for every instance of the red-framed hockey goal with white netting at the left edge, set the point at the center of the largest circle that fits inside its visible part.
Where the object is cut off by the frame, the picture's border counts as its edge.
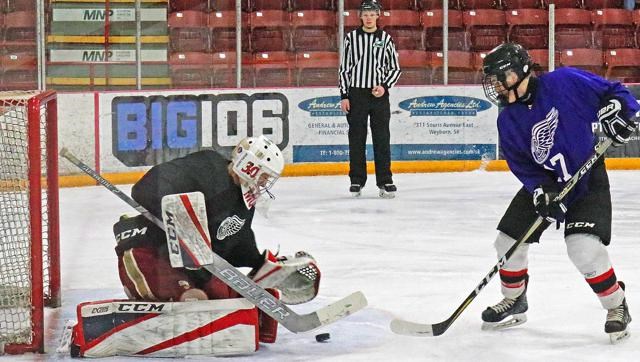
(29, 235)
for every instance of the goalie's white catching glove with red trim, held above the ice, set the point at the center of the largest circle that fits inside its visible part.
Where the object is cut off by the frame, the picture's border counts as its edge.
(296, 277)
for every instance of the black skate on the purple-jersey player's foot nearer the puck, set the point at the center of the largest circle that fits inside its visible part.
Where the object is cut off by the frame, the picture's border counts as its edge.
(494, 316)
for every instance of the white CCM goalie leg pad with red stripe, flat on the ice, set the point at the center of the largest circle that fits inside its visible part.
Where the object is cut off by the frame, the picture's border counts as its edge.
(170, 329)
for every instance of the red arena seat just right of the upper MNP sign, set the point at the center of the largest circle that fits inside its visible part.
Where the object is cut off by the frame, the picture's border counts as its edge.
(188, 31)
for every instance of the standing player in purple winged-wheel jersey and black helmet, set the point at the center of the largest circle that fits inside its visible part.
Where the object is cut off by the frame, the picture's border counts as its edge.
(546, 134)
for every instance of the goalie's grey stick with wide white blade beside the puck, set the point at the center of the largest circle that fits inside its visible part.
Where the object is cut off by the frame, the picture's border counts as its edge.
(239, 282)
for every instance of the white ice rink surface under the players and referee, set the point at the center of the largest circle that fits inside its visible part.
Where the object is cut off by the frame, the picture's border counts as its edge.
(416, 257)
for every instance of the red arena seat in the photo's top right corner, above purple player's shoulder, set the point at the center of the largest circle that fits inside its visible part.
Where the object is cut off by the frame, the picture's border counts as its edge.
(613, 28)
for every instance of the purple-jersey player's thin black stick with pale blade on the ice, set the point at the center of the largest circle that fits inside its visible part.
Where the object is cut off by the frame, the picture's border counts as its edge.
(408, 328)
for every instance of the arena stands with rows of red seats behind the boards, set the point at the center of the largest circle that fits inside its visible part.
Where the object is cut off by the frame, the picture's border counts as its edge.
(289, 43)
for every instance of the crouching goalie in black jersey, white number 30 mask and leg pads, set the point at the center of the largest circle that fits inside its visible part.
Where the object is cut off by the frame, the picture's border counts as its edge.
(230, 191)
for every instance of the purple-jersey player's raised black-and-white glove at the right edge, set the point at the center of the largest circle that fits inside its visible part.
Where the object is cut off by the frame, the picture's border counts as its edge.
(614, 121)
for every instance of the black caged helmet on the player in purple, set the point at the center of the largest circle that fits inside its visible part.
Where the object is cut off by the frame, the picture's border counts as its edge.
(504, 57)
